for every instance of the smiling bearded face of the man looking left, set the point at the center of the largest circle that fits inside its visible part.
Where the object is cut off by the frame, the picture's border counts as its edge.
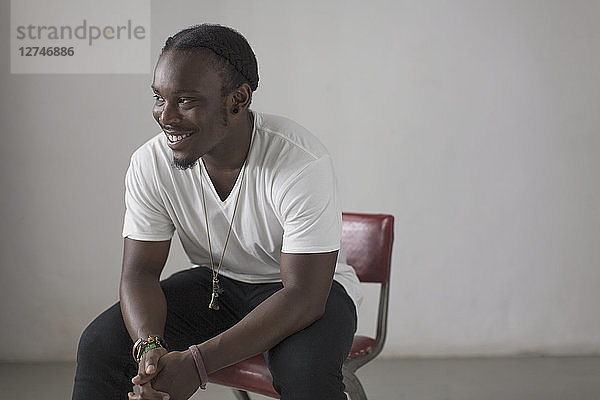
(189, 105)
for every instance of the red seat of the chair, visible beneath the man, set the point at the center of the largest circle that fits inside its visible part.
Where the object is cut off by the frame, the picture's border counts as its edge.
(253, 375)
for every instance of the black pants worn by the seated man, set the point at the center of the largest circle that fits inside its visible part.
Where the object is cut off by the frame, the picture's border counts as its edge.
(306, 365)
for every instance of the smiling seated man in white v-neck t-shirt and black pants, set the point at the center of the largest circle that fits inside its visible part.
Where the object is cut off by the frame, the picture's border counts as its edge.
(253, 199)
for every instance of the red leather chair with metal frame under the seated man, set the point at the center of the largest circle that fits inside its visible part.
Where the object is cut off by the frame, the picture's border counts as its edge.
(367, 239)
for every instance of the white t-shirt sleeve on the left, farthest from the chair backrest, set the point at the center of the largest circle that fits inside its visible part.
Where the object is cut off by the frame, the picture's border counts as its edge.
(145, 215)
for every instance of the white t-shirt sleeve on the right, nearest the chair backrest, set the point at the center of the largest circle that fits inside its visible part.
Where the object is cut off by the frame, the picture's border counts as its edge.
(310, 210)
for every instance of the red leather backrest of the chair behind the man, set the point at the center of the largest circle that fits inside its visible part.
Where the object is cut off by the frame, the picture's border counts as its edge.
(367, 240)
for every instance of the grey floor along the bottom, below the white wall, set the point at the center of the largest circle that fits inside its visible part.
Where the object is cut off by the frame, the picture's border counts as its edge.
(547, 378)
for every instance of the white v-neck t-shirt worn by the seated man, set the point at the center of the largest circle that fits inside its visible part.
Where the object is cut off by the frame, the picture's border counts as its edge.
(289, 203)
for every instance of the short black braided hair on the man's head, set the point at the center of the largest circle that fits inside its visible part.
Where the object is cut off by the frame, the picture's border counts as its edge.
(233, 53)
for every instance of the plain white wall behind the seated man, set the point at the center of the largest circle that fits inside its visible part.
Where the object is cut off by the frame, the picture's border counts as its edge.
(476, 123)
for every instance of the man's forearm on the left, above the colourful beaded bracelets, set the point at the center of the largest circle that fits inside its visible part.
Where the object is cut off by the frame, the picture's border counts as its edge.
(143, 305)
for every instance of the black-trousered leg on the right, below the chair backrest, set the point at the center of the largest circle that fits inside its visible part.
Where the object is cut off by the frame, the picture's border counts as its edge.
(308, 364)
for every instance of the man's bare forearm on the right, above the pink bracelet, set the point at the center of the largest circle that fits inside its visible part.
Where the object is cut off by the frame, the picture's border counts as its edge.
(282, 314)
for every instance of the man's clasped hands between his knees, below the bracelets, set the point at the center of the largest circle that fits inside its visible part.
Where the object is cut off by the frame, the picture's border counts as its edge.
(166, 376)
